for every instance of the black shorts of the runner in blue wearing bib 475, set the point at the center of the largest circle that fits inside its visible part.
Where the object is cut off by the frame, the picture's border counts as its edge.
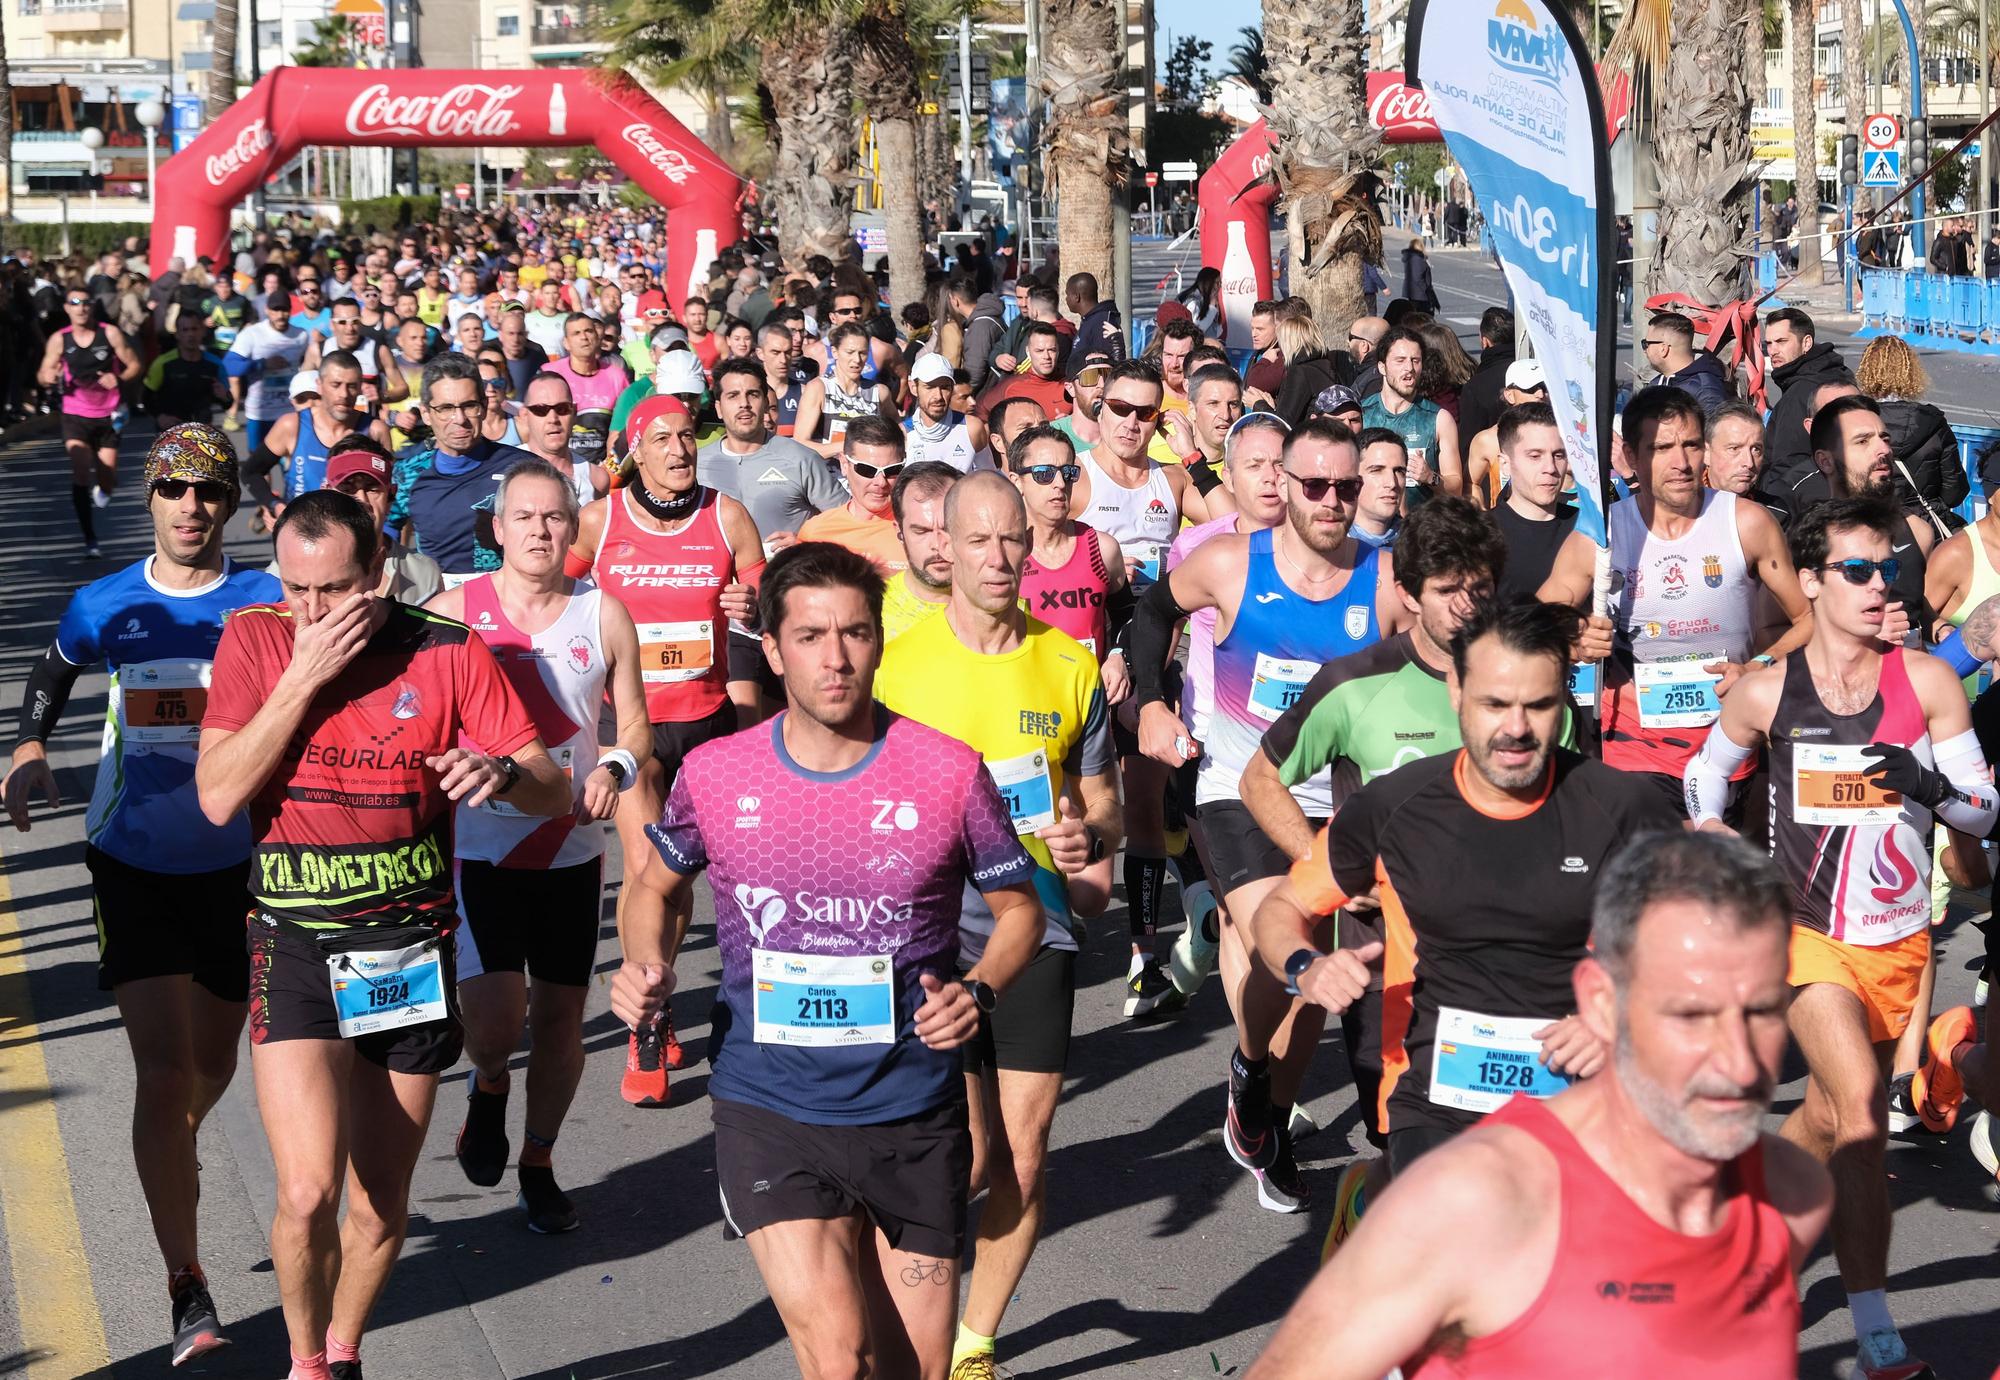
(163, 925)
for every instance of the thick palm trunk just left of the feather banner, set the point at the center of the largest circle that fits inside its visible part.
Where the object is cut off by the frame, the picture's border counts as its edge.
(1325, 147)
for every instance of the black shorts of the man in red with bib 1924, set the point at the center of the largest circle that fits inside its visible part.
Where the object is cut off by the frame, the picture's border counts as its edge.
(293, 997)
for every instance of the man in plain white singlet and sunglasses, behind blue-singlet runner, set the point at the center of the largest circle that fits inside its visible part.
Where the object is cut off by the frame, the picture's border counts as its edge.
(1137, 503)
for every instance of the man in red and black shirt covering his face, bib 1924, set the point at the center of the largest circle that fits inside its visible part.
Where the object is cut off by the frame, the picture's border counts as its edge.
(335, 719)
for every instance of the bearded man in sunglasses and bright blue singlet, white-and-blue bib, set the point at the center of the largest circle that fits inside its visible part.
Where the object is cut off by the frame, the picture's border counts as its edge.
(1287, 601)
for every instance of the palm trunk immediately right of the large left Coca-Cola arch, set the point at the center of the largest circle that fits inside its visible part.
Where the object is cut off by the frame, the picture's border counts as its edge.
(811, 77)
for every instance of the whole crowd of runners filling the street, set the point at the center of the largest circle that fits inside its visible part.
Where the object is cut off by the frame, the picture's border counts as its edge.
(933, 639)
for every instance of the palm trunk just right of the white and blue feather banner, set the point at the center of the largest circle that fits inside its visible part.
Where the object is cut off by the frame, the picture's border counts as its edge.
(1703, 153)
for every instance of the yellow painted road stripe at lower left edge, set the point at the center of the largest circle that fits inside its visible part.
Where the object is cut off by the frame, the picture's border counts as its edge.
(61, 1327)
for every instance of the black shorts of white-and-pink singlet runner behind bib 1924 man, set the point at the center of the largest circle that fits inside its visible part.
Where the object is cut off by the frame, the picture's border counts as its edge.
(537, 921)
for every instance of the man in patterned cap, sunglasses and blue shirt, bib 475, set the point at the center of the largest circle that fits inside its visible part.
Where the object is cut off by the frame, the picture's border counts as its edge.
(171, 891)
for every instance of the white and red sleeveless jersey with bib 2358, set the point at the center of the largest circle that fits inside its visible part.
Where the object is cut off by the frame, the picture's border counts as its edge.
(1675, 609)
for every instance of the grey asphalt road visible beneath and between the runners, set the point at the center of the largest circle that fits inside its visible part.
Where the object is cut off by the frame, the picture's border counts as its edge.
(1157, 1261)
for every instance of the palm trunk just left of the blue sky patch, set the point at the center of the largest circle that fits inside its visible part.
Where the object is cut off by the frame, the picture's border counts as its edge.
(1085, 135)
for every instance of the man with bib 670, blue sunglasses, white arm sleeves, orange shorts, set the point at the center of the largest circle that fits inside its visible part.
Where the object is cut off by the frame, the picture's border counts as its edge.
(1869, 747)
